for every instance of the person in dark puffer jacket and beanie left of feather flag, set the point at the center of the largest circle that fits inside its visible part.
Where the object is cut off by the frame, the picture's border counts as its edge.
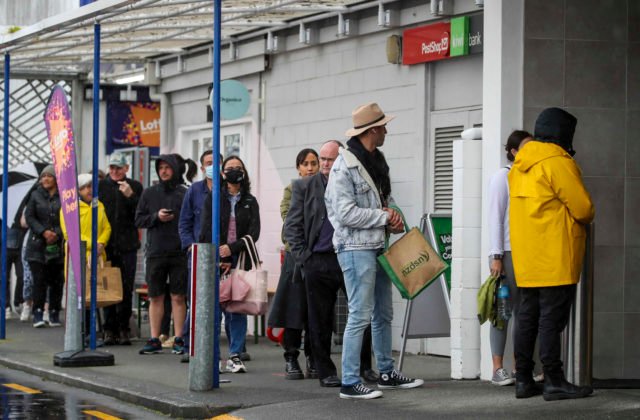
(44, 248)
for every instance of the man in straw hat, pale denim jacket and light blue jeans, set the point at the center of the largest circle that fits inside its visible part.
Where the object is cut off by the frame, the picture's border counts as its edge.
(358, 196)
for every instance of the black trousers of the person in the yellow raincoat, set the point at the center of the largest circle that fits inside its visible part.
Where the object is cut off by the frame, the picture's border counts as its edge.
(544, 312)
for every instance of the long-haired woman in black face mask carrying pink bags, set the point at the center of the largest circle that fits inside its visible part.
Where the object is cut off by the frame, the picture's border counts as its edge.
(239, 216)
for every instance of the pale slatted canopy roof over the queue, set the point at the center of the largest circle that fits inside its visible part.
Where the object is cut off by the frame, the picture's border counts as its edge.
(135, 31)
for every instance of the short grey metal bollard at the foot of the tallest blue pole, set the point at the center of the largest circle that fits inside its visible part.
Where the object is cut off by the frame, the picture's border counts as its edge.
(202, 366)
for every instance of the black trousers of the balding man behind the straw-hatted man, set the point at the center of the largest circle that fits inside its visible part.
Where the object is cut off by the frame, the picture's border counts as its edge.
(323, 278)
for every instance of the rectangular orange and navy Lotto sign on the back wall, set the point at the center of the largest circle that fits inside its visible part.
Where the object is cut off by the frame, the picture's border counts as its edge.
(131, 124)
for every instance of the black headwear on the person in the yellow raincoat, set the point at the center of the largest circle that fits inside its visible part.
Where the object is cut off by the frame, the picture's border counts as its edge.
(555, 125)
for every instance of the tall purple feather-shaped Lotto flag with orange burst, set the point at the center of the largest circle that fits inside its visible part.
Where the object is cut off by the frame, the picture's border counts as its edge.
(57, 119)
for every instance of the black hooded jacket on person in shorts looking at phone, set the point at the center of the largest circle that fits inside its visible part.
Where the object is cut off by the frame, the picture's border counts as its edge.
(163, 239)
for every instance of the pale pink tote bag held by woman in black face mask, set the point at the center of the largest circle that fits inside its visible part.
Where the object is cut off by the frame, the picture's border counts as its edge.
(256, 302)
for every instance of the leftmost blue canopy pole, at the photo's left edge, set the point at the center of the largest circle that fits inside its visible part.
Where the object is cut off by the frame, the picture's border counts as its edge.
(5, 195)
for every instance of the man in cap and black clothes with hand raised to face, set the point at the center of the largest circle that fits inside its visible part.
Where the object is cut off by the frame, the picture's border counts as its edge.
(120, 196)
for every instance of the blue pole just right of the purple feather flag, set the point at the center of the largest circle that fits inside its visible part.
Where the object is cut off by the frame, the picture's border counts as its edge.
(94, 184)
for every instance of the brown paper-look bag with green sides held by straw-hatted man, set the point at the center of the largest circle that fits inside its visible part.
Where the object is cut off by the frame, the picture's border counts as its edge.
(411, 263)
